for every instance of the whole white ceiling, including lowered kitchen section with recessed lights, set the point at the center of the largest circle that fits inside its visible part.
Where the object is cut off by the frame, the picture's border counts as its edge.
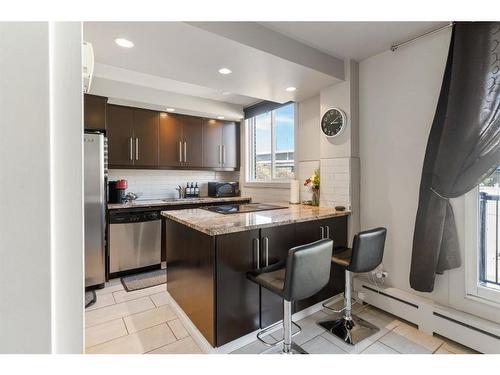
(265, 57)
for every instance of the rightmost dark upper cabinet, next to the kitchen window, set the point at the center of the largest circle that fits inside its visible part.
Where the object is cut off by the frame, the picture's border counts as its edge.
(220, 144)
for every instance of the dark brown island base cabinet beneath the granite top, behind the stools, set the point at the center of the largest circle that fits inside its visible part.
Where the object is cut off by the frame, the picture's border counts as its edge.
(207, 275)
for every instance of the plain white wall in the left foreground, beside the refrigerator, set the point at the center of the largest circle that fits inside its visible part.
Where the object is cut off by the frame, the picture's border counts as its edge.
(41, 248)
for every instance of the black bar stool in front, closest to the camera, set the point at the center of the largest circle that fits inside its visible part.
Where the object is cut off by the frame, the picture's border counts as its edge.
(305, 272)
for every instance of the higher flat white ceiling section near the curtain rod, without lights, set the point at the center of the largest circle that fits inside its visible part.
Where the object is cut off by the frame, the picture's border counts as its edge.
(354, 40)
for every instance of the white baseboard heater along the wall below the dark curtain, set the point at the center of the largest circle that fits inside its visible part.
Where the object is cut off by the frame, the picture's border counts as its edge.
(469, 330)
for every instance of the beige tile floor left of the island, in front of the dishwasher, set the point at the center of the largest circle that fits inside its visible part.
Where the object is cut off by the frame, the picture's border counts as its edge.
(137, 322)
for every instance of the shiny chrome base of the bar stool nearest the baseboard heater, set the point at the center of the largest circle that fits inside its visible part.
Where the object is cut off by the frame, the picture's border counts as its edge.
(350, 331)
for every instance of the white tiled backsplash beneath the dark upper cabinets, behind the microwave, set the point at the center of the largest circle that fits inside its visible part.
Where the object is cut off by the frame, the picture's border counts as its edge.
(154, 184)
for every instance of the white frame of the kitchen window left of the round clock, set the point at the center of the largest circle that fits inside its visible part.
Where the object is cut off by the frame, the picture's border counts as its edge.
(249, 154)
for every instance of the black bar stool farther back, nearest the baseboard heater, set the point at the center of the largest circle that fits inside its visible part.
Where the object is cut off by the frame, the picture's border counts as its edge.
(366, 254)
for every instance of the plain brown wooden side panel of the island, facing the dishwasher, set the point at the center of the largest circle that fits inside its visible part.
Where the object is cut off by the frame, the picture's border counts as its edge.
(191, 275)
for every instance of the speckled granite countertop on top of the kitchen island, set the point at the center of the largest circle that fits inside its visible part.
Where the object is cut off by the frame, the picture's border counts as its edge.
(214, 224)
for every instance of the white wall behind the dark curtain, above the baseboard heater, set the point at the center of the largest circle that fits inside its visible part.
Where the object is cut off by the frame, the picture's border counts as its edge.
(398, 97)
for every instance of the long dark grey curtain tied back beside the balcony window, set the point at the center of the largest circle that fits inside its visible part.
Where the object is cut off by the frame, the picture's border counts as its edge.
(463, 146)
